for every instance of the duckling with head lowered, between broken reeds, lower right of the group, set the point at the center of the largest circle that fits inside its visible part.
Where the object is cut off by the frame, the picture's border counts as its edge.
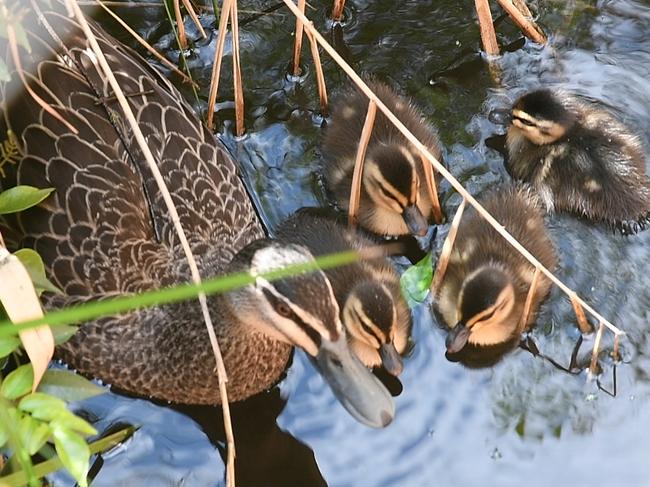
(482, 295)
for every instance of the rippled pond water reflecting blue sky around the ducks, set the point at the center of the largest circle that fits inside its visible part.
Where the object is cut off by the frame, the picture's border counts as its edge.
(523, 420)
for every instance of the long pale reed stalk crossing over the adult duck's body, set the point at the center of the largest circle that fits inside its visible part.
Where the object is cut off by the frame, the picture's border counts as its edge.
(173, 213)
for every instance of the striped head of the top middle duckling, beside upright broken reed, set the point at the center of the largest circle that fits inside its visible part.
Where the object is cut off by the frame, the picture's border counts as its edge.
(391, 181)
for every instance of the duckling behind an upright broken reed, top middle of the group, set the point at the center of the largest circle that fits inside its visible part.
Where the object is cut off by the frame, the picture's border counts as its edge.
(394, 197)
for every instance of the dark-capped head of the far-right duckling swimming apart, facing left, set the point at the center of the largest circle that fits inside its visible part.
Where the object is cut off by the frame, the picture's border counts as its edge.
(542, 116)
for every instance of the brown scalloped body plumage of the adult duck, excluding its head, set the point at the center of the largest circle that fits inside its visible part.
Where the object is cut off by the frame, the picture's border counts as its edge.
(106, 232)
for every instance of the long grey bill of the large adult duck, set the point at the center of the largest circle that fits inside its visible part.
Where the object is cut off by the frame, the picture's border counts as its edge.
(356, 388)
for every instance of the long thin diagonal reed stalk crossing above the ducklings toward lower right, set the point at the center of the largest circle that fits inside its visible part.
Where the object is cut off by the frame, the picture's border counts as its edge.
(442, 170)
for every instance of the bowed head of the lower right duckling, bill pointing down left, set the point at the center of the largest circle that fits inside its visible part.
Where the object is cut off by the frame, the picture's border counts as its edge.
(485, 312)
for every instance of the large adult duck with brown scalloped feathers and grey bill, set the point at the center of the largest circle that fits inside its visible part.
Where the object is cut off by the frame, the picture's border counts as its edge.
(106, 232)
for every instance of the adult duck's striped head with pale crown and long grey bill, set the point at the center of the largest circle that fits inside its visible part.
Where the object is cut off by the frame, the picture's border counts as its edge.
(301, 310)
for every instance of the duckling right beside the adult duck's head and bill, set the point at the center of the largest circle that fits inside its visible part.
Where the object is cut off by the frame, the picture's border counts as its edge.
(373, 311)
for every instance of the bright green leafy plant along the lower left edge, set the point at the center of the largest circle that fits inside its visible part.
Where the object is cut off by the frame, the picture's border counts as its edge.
(29, 419)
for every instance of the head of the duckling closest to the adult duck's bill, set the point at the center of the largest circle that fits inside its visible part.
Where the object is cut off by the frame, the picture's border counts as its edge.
(370, 318)
